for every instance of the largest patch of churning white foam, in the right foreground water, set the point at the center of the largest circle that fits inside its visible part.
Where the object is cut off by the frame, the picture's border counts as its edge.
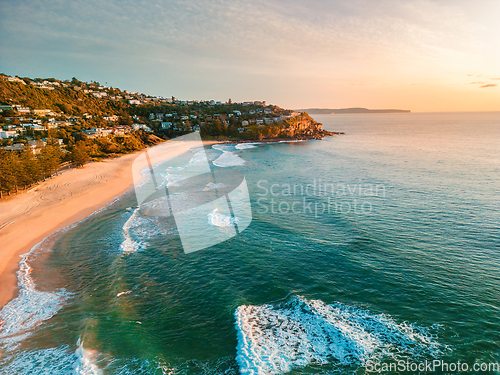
(277, 339)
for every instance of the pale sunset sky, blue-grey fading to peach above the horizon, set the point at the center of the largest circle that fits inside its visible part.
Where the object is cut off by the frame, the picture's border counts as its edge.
(418, 55)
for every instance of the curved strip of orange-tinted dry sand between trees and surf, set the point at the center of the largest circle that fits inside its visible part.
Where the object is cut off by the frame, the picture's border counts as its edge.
(28, 218)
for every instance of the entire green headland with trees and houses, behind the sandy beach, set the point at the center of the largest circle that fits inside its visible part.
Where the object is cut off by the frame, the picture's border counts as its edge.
(48, 123)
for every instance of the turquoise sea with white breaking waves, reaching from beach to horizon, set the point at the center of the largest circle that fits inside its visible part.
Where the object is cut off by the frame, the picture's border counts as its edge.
(376, 246)
